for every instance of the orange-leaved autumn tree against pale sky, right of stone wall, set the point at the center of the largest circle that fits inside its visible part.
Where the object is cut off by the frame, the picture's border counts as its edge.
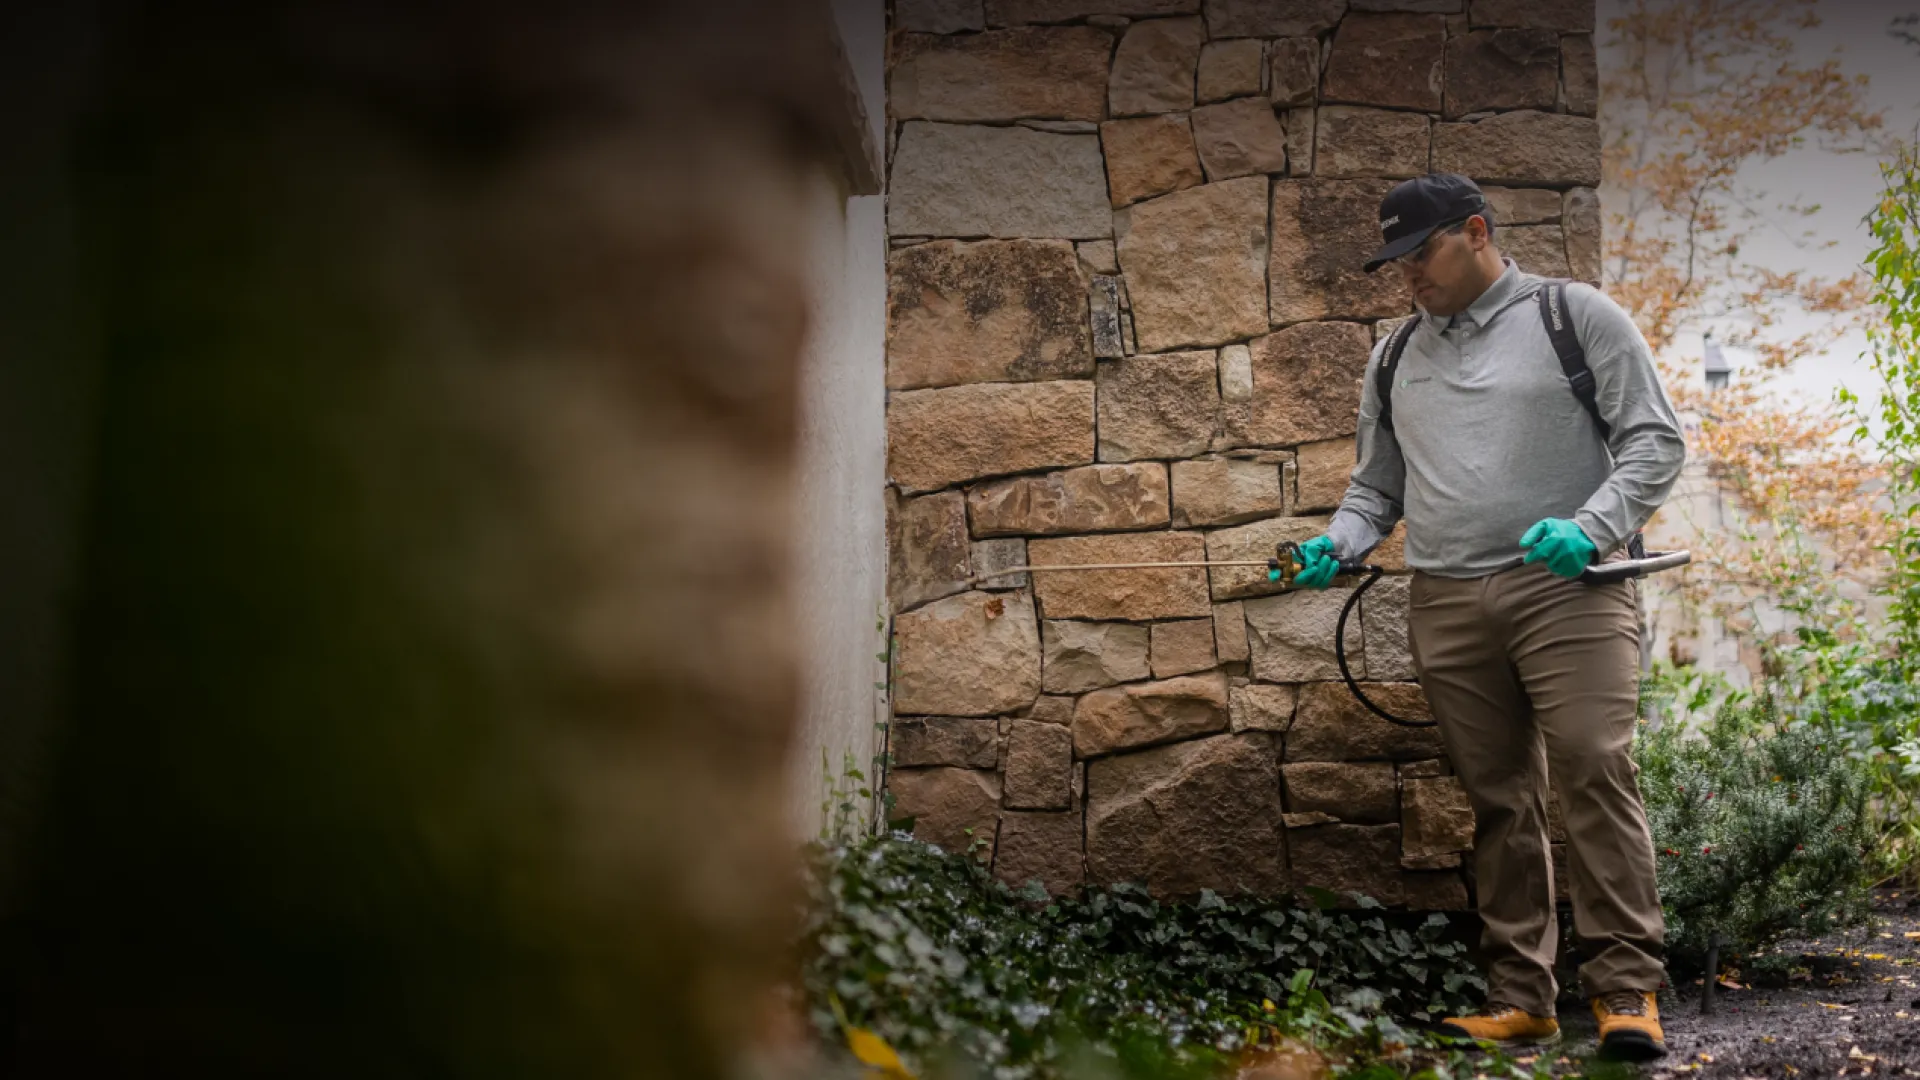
(1694, 95)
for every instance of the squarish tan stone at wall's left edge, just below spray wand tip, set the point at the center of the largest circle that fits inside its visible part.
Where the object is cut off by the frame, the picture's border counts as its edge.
(967, 656)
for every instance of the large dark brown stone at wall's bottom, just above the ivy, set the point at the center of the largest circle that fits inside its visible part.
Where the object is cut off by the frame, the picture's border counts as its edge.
(1188, 818)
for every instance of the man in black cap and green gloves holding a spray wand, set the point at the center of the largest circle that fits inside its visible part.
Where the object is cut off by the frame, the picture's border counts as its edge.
(1510, 487)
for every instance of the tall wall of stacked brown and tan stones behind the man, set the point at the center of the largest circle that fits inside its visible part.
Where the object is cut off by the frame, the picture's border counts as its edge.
(1128, 324)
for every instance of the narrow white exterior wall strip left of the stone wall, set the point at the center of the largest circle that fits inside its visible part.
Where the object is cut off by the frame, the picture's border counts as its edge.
(842, 526)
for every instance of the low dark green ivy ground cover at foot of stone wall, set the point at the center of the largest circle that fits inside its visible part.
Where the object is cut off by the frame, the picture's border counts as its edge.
(938, 958)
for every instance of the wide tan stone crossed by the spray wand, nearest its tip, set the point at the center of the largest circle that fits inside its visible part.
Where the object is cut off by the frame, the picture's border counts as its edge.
(1122, 595)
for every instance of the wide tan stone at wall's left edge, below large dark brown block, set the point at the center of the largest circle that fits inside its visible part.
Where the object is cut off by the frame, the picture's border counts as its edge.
(963, 433)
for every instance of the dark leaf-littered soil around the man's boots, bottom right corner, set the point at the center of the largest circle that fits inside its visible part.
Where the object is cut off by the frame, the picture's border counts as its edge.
(1852, 1012)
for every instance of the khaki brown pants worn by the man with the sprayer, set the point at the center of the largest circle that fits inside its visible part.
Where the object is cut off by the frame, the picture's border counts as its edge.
(1527, 674)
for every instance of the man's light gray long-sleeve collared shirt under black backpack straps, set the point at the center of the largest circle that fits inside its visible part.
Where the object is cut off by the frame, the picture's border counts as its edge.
(1489, 437)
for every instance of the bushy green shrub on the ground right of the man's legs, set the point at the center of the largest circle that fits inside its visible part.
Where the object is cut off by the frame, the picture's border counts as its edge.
(1762, 833)
